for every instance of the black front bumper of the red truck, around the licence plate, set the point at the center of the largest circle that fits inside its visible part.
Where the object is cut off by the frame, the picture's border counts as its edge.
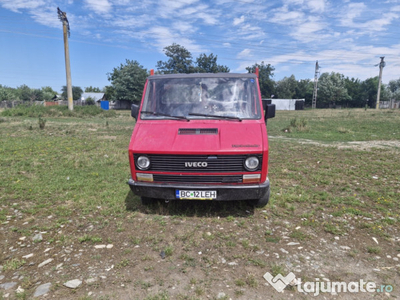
(167, 191)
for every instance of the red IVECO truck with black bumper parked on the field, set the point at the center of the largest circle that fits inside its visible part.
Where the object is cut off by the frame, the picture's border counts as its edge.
(201, 136)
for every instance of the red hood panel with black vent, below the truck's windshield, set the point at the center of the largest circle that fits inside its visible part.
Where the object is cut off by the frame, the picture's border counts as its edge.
(197, 138)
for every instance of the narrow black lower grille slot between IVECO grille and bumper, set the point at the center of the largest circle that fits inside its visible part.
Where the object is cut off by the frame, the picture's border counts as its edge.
(198, 178)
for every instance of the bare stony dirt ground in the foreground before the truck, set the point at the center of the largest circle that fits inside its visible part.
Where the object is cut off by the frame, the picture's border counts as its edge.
(170, 257)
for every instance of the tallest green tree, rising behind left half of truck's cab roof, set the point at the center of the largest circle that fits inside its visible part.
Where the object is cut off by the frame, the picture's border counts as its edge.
(180, 60)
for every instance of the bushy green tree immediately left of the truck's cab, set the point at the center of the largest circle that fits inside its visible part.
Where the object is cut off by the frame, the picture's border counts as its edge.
(127, 81)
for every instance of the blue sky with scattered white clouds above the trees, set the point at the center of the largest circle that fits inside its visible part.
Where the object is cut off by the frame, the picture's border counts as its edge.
(344, 36)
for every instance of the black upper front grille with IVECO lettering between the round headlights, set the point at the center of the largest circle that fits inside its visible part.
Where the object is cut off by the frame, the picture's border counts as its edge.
(215, 163)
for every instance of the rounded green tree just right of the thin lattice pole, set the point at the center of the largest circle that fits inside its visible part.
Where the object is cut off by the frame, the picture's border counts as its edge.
(332, 89)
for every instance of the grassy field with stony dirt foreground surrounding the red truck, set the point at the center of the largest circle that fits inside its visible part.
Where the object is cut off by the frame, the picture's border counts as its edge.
(335, 183)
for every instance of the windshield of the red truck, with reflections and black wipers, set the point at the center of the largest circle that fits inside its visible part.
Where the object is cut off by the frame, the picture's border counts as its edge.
(201, 98)
